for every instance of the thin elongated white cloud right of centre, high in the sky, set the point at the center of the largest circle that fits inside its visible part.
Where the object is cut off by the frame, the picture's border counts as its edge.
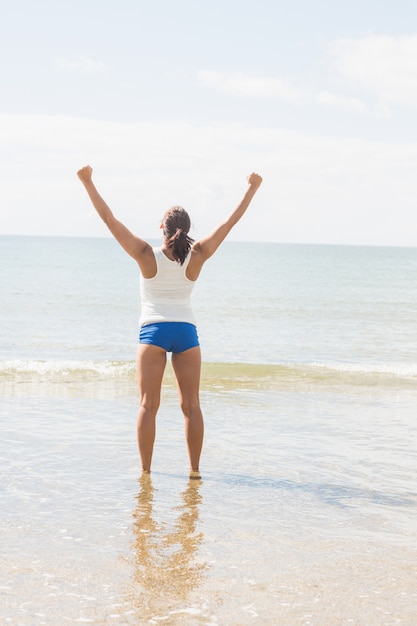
(241, 84)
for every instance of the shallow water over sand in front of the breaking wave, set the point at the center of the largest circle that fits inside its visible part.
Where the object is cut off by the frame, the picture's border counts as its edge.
(306, 518)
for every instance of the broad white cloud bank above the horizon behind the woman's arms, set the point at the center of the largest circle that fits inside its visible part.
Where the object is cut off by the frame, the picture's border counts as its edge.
(316, 189)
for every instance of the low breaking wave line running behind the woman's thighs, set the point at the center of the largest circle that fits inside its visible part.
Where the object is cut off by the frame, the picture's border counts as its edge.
(219, 375)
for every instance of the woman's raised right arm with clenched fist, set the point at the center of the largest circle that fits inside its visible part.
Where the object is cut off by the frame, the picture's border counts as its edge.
(207, 246)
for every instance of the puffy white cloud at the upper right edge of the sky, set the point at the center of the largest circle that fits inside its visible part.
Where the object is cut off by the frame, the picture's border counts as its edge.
(382, 66)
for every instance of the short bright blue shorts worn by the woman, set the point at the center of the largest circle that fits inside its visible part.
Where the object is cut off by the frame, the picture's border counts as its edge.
(171, 336)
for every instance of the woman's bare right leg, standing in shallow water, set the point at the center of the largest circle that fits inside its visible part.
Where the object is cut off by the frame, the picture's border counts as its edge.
(187, 367)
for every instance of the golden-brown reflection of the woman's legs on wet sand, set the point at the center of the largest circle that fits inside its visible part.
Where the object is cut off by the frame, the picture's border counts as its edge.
(165, 564)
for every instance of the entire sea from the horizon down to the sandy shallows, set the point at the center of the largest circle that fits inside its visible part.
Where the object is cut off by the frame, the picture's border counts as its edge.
(306, 513)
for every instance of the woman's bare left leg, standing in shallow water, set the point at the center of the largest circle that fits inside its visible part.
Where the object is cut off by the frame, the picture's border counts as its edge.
(150, 363)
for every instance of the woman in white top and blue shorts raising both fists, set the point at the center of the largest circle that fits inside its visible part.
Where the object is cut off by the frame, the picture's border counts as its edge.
(167, 323)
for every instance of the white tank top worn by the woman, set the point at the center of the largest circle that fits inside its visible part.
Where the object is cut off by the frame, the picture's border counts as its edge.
(167, 296)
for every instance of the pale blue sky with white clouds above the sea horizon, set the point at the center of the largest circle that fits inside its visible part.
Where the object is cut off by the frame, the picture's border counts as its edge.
(176, 102)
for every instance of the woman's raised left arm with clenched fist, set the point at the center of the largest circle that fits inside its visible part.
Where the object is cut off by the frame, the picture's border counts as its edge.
(134, 246)
